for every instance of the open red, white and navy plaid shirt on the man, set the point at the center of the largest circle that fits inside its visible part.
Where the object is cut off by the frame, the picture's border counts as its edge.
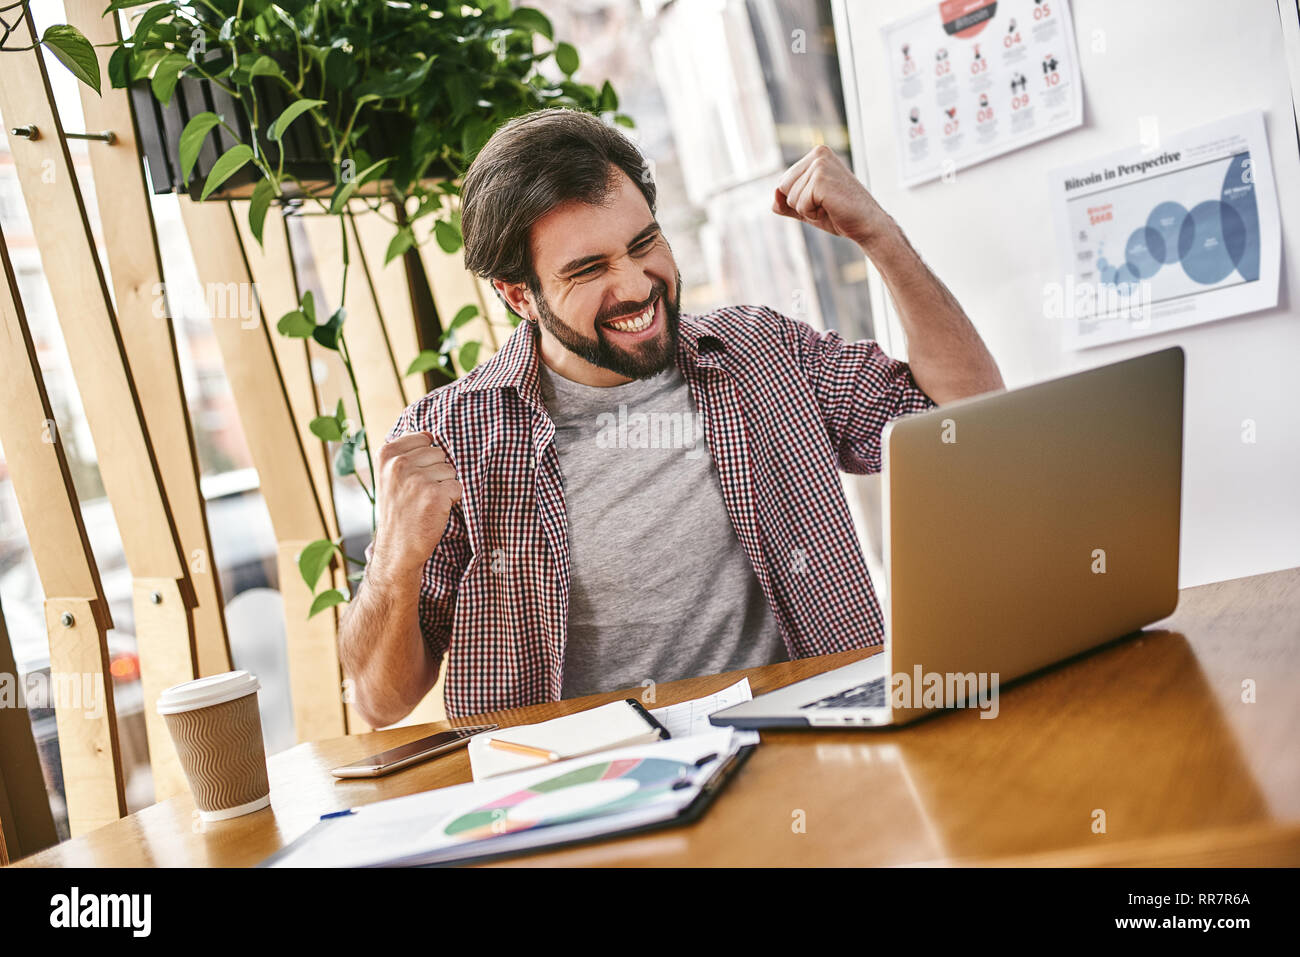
(785, 409)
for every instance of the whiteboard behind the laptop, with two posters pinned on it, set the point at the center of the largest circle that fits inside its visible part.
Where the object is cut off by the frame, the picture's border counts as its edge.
(987, 233)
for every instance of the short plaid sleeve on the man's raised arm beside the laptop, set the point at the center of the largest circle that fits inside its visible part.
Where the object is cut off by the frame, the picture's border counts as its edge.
(859, 389)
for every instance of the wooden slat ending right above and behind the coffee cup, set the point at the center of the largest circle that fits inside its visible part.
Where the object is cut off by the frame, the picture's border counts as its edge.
(131, 241)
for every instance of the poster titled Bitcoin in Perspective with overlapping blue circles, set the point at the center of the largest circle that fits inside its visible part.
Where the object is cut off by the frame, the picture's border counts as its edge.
(1168, 235)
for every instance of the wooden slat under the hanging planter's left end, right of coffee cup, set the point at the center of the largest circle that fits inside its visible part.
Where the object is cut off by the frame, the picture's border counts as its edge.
(285, 478)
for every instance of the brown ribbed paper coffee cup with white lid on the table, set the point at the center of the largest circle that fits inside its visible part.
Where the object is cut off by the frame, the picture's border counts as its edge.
(218, 734)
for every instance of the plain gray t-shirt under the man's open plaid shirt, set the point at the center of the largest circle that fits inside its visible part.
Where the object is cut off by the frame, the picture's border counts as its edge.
(661, 588)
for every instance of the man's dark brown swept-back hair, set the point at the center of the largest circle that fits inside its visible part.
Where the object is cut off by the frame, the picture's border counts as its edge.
(532, 164)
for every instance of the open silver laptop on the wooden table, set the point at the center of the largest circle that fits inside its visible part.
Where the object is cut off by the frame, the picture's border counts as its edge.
(1021, 529)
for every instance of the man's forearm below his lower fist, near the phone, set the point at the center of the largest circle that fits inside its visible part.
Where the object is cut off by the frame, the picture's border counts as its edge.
(382, 647)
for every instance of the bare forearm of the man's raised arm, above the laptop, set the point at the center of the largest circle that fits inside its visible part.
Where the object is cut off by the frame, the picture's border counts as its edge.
(948, 358)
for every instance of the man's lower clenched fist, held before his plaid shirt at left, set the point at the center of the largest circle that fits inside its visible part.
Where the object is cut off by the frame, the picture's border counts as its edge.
(415, 491)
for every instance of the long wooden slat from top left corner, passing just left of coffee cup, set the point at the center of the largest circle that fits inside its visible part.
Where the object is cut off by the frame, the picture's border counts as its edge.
(127, 462)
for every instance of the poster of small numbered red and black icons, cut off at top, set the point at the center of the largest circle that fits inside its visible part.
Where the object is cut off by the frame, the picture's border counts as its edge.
(977, 79)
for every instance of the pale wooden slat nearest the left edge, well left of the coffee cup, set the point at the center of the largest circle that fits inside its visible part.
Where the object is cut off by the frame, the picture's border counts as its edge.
(79, 649)
